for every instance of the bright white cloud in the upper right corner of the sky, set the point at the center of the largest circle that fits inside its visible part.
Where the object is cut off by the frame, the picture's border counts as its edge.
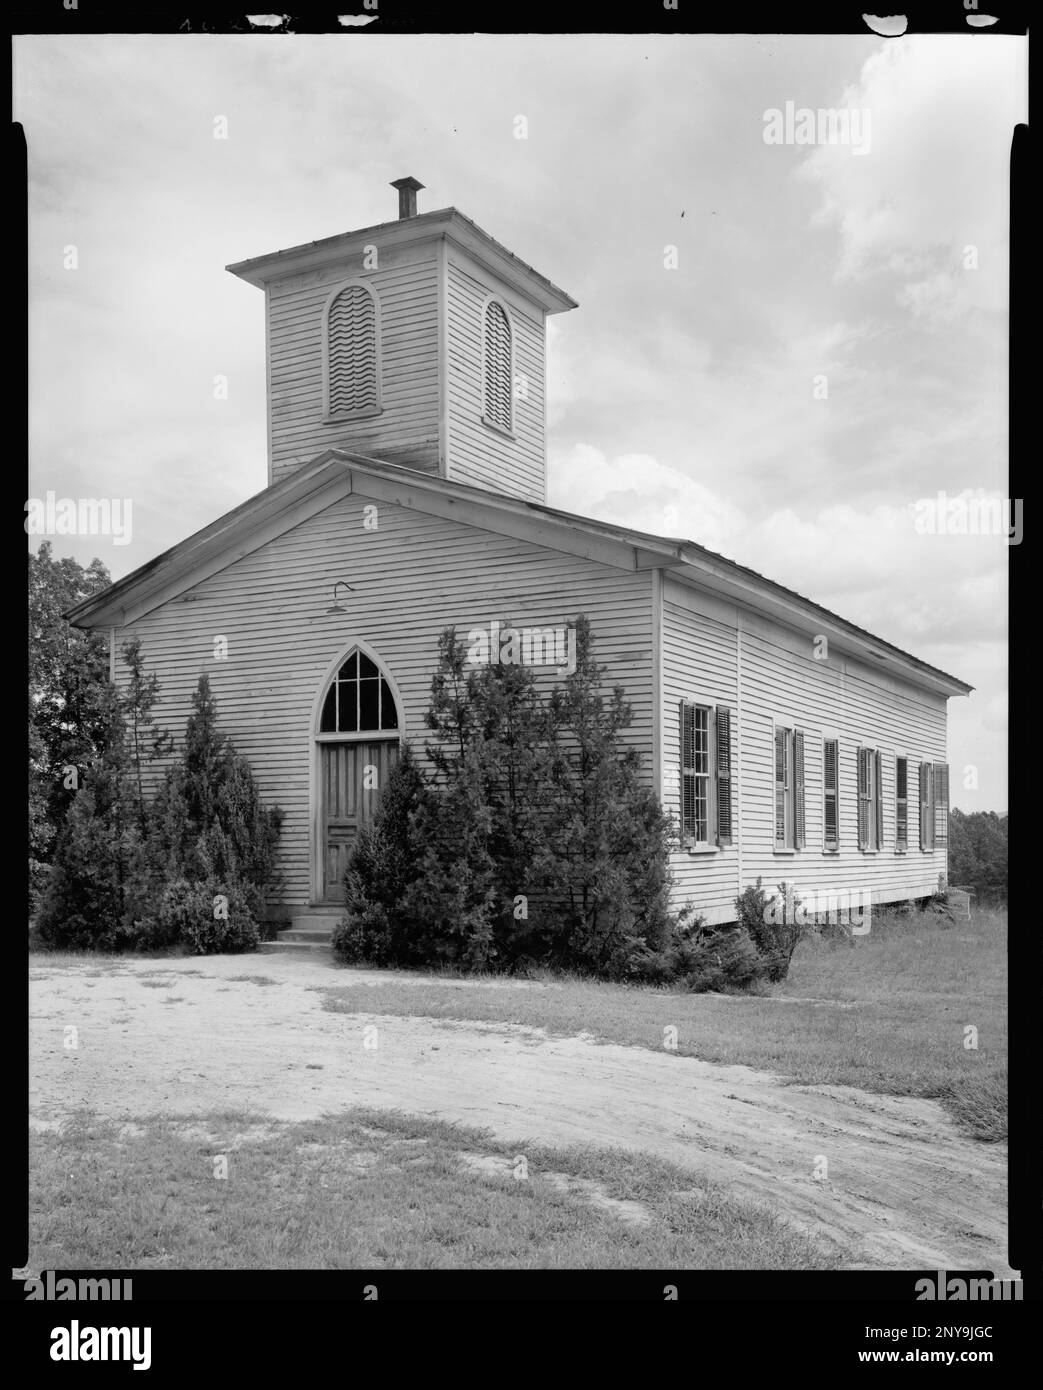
(938, 179)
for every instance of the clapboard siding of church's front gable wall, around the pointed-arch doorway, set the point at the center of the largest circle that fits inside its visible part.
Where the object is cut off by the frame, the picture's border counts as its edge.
(412, 578)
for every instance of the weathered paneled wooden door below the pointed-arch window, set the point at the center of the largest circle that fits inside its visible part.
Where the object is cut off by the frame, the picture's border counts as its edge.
(354, 776)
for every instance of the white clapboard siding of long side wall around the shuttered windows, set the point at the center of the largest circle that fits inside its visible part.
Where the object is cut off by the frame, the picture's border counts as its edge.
(717, 654)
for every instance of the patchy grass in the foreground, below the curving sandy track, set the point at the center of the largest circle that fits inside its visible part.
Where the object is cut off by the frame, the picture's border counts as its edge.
(378, 1191)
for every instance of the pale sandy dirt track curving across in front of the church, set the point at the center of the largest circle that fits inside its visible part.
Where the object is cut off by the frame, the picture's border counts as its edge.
(903, 1188)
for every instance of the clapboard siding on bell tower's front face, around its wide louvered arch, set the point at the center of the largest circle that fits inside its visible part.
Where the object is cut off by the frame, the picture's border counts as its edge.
(407, 432)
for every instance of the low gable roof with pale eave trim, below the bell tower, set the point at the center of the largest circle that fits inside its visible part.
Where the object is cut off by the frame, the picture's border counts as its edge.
(340, 473)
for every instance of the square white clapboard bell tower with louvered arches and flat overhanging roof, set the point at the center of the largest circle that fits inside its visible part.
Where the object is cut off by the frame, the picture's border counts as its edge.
(421, 343)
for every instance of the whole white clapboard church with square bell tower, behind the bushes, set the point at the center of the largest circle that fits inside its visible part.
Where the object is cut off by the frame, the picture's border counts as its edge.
(408, 491)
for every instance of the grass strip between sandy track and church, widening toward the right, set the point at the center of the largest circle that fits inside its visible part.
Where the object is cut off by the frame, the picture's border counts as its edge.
(887, 1013)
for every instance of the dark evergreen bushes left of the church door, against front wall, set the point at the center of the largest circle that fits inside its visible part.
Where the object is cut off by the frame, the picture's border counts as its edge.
(186, 869)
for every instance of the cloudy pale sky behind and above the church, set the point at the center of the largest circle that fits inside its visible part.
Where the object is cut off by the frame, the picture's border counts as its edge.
(779, 351)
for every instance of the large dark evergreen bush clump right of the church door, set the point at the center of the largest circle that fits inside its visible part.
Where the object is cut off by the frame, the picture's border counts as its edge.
(528, 839)
